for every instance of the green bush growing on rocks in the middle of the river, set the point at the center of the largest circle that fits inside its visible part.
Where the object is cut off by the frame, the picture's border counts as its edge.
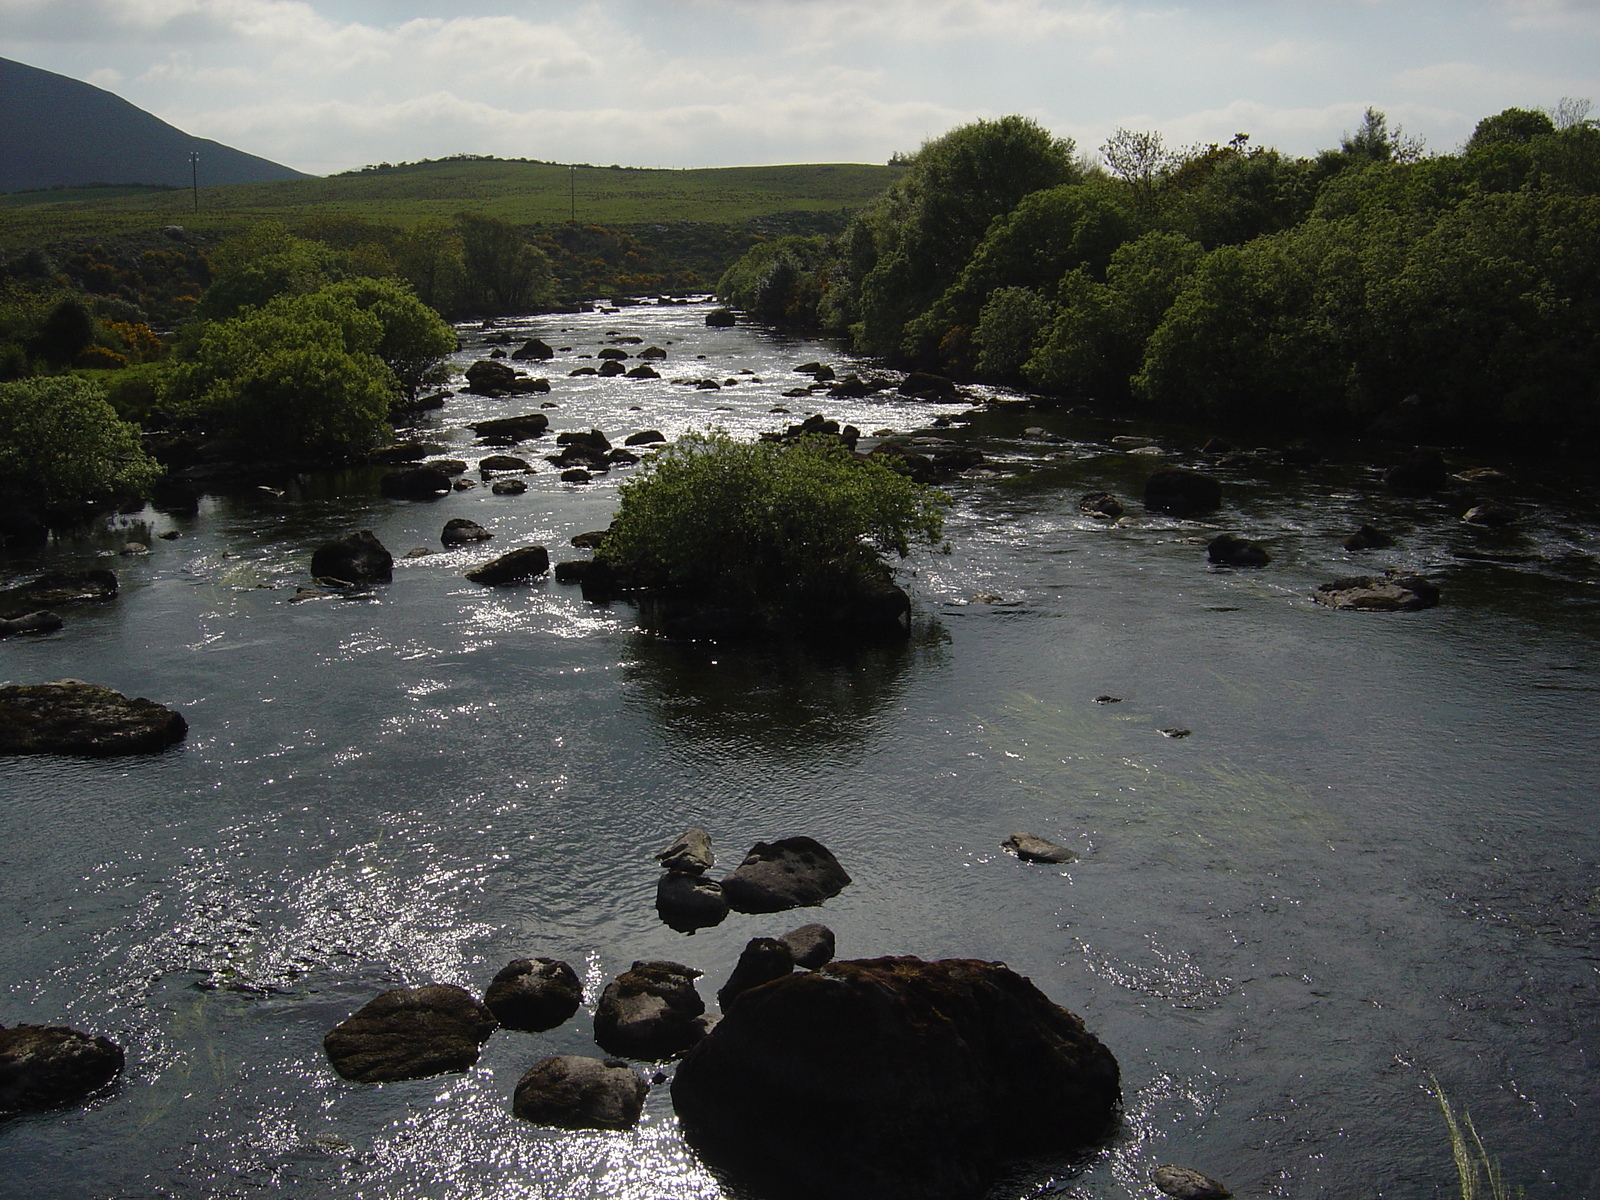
(767, 522)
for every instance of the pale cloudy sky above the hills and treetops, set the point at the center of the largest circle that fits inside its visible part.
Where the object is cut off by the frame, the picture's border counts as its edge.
(330, 86)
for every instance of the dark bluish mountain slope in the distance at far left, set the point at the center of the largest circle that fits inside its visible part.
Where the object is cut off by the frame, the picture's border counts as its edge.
(62, 132)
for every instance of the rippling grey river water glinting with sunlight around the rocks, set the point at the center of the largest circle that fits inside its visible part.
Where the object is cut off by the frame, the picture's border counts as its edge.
(1372, 862)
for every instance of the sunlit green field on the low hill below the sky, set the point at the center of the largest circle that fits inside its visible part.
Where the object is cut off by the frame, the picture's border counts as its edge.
(522, 193)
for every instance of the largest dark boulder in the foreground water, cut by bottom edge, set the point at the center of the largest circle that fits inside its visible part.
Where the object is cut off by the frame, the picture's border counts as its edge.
(921, 1079)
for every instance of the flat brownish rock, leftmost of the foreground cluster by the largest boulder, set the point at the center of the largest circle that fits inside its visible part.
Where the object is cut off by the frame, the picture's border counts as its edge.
(410, 1033)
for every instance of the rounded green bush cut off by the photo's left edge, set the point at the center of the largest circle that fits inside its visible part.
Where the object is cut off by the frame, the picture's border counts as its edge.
(62, 444)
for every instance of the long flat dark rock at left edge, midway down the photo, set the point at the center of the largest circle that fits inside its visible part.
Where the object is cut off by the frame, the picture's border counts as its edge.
(82, 719)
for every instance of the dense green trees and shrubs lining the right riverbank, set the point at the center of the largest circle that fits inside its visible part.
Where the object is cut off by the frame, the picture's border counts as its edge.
(1233, 284)
